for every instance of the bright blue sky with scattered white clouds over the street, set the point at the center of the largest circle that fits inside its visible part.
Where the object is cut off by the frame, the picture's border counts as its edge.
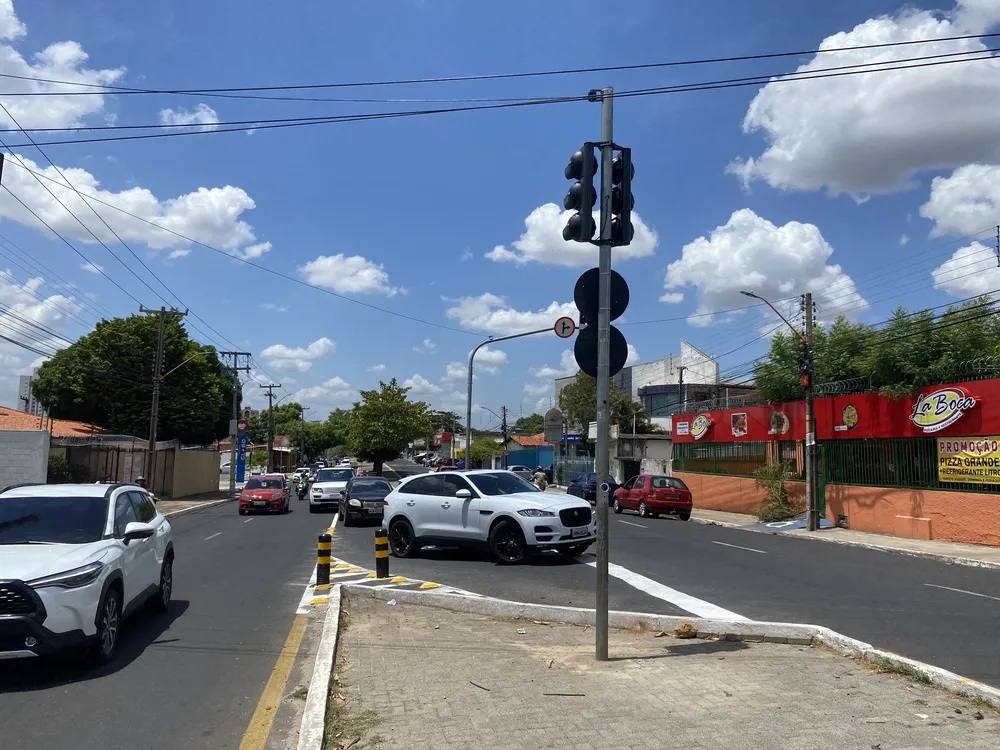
(870, 191)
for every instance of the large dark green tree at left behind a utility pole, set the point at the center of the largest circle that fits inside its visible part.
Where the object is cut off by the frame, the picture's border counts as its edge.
(105, 378)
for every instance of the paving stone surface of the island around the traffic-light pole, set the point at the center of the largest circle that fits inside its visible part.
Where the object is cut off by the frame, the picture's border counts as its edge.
(415, 677)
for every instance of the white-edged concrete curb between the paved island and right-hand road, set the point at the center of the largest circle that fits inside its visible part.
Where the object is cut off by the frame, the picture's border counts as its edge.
(746, 630)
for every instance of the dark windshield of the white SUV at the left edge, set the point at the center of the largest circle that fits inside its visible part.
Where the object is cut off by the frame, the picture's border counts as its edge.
(54, 520)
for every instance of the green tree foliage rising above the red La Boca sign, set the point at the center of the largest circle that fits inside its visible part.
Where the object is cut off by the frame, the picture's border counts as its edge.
(908, 351)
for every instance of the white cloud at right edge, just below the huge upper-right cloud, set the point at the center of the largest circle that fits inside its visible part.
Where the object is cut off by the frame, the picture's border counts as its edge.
(965, 203)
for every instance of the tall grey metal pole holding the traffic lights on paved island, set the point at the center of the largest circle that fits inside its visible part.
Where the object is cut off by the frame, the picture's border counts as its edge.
(603, 380)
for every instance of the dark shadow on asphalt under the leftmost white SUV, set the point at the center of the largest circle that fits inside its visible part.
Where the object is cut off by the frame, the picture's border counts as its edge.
(139, 632)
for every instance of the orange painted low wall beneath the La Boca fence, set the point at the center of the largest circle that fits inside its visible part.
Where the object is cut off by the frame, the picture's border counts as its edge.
(969, 517)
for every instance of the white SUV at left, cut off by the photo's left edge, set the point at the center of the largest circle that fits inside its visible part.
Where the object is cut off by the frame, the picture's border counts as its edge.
(75, 559)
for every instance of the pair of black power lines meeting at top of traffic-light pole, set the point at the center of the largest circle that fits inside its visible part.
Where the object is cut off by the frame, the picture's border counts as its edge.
(262, 124)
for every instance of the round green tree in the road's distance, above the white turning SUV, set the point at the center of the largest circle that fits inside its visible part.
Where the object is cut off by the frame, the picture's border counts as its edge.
(384, 422)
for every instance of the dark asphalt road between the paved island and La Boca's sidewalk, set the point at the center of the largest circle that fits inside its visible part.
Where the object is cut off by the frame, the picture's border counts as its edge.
(942, 614)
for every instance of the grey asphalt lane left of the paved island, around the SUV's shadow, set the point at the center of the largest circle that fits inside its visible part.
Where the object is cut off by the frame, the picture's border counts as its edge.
(190, 678)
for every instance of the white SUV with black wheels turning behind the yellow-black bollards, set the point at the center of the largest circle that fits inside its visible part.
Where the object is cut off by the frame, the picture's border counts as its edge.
(493, 509)
